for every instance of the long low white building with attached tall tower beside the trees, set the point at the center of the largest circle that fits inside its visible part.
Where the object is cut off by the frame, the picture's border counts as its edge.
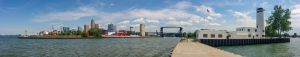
(240, 33)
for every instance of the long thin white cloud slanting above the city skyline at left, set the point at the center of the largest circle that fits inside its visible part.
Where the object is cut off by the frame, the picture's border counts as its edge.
(67, 15)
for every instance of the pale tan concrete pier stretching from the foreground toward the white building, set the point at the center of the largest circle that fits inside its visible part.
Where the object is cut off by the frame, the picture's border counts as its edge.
(190, 48)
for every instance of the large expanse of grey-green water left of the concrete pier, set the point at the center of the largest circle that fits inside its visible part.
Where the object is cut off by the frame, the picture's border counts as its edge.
(114, 47)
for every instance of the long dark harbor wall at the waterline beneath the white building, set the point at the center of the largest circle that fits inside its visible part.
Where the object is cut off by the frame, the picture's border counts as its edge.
(234, 42)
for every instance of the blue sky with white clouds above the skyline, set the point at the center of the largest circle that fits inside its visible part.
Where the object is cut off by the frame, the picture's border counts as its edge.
(16, 16)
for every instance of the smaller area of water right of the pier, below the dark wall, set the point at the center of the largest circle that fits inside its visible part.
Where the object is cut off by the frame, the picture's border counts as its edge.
(291, 49)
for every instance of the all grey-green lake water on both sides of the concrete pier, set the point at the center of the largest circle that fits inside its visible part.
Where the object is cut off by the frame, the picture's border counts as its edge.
(127, 47)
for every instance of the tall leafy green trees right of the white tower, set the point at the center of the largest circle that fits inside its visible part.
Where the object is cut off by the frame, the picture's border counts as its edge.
(278, 22)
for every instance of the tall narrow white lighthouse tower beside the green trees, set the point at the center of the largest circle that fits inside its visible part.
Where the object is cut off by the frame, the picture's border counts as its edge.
(260, 23)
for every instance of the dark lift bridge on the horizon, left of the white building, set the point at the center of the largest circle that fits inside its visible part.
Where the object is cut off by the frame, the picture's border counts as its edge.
(179, 34)
